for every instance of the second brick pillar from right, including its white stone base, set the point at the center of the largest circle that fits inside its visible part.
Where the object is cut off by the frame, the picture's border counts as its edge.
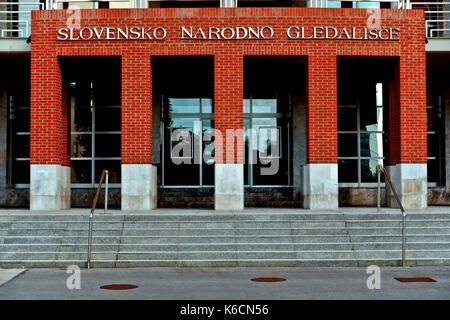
(319, 181)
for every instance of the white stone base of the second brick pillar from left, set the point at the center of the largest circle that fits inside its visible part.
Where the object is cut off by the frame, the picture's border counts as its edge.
(139, 187)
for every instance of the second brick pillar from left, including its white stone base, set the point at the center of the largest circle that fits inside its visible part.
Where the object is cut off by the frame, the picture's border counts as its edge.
(139, 186)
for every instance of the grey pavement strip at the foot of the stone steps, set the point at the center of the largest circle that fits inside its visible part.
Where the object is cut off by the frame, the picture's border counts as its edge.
(230, 284)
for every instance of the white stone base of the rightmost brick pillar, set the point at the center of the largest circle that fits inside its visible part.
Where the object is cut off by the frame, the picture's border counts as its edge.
(410, 182)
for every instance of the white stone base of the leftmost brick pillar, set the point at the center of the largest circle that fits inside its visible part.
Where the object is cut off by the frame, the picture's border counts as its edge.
(49, 187)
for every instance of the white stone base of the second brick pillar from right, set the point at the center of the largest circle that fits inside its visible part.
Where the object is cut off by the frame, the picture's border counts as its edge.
(319, 185)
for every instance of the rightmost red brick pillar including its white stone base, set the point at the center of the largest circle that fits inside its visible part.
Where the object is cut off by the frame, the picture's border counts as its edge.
(407, 166)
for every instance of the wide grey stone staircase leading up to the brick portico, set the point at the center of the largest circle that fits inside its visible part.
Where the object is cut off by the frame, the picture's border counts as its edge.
(208, 239)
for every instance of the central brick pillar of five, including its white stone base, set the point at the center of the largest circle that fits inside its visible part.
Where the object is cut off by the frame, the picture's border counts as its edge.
(229, 139)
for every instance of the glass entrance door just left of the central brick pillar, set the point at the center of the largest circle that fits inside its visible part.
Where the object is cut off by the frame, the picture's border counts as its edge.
(187, 135)
